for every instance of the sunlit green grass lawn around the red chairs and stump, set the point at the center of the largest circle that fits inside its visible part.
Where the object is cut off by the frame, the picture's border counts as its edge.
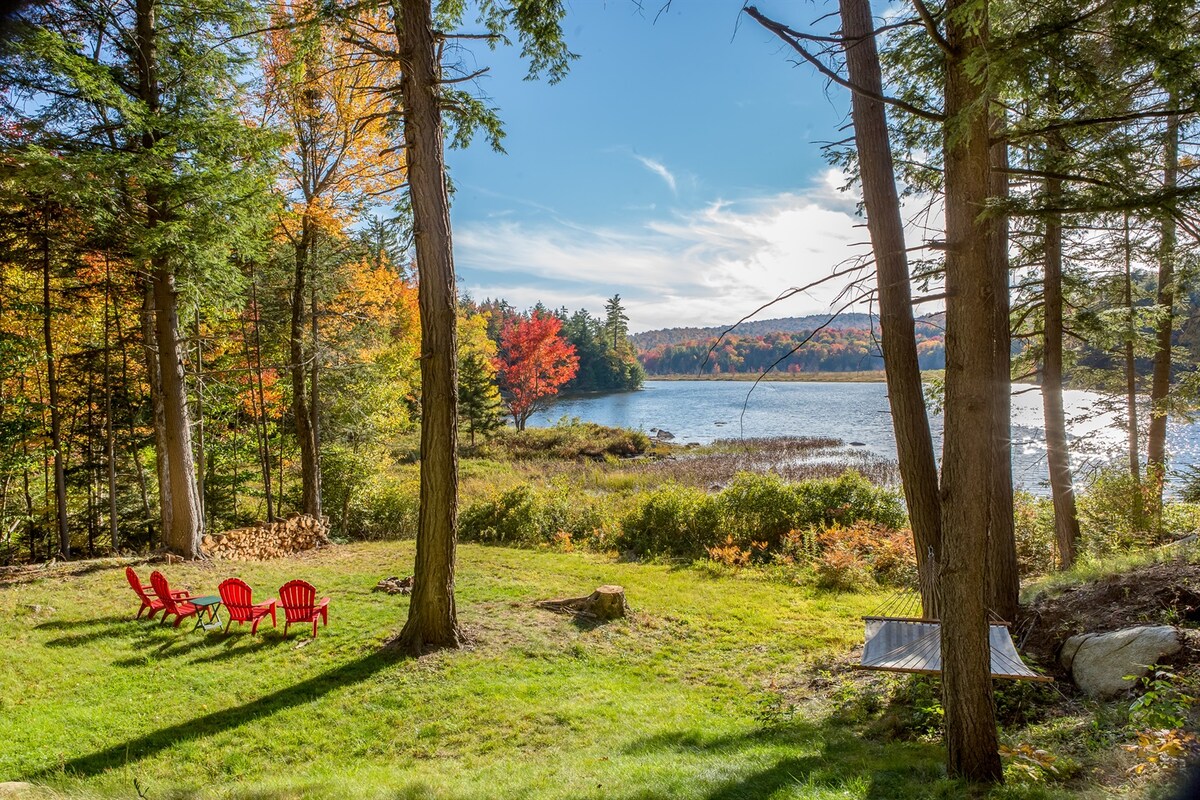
(677, 702)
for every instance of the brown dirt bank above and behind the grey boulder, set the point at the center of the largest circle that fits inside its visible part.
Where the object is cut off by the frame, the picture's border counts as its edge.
(1157, 594)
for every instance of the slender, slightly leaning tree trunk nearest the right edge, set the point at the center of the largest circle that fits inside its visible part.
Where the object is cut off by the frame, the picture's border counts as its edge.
(1161, 383)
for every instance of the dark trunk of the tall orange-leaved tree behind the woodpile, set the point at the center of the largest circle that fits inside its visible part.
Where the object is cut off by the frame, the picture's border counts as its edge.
(307, 434)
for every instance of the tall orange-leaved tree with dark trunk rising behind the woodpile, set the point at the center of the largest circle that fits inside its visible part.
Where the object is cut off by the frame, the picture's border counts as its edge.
(332, 98)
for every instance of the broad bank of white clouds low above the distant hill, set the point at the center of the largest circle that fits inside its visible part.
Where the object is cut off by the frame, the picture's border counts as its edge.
(705, 267)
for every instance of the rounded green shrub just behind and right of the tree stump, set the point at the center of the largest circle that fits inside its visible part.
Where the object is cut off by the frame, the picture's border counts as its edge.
(673, 520)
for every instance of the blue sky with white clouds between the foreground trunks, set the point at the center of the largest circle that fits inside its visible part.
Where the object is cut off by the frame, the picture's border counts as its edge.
(679, 165)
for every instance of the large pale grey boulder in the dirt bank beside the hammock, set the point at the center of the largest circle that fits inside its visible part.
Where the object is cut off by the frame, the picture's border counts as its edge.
(1100, 663)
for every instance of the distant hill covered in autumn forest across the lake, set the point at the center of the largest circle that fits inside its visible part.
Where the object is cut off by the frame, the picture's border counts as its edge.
(848, 345)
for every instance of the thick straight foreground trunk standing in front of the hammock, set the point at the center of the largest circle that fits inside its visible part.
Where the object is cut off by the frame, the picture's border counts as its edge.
(971, 741)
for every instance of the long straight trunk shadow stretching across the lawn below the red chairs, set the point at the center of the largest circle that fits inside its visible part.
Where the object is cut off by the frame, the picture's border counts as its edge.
(151, 744)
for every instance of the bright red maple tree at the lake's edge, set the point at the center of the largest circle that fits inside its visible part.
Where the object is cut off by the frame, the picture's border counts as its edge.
(535, 362)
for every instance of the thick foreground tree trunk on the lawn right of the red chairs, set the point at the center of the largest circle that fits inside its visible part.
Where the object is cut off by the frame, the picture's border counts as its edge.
(433, 617)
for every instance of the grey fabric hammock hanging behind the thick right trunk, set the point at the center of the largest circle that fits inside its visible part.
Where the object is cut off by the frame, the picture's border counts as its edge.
(899, 640)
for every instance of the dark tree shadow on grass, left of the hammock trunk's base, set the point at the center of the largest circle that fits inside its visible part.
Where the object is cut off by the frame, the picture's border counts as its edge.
(845, 762)
